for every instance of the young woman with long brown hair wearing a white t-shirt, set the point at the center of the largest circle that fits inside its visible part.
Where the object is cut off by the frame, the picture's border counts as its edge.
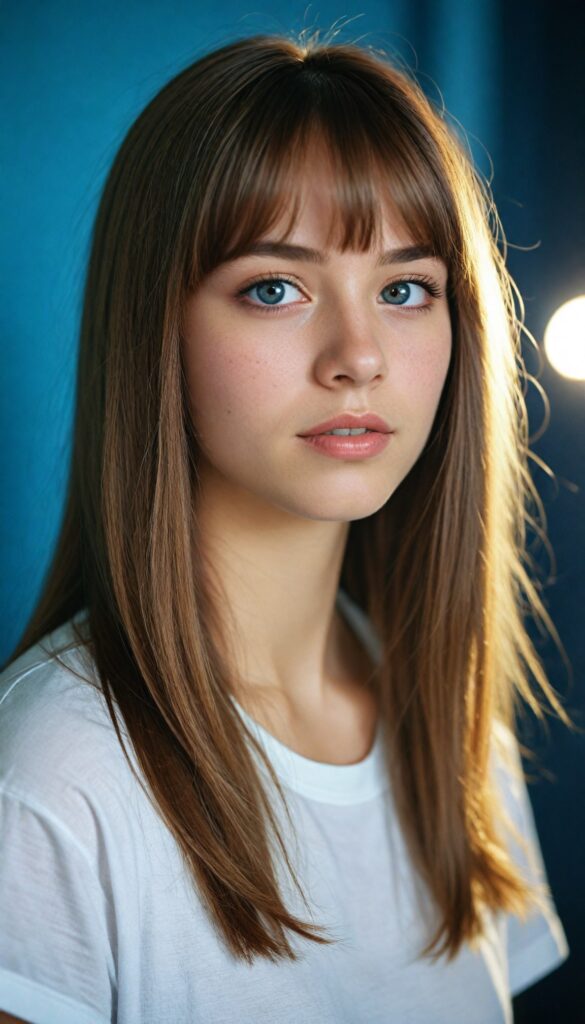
(258, 748)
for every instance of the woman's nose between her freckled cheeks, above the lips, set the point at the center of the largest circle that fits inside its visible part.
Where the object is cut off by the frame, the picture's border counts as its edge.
(351, 350)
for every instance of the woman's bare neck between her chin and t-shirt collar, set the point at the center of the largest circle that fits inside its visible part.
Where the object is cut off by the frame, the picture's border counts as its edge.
(279, 575)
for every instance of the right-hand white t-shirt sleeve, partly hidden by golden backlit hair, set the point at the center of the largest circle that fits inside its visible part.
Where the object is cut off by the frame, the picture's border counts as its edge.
(537, 946)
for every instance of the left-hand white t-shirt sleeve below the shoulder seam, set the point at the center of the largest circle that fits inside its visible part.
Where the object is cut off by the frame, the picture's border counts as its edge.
(57, 965)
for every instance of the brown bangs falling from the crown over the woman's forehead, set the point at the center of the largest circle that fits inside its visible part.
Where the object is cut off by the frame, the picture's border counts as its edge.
(382, 166)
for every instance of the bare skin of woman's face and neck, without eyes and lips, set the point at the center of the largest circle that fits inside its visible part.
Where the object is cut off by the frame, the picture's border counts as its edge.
(275, 514)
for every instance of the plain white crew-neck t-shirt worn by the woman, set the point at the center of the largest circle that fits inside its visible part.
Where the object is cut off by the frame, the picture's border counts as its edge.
(99, 922)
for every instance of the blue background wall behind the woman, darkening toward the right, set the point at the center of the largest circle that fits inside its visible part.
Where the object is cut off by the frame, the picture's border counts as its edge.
(76, 75)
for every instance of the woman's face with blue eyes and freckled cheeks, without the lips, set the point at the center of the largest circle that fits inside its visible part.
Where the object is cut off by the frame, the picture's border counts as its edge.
(267, 362)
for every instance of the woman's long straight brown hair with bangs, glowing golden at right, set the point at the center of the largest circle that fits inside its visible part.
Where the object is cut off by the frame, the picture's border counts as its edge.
(210, 166)
